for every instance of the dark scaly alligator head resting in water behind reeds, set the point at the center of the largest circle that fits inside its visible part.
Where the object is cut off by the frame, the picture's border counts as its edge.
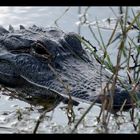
(54, 65)
